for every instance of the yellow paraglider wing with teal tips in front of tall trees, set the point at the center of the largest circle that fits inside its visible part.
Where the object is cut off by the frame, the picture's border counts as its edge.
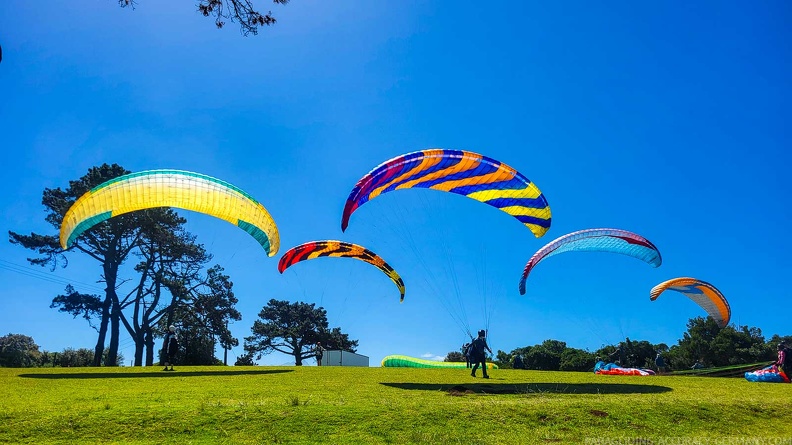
(170, 188)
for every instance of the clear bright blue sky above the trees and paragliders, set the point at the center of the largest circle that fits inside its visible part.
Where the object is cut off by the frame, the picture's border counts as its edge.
(667, 119)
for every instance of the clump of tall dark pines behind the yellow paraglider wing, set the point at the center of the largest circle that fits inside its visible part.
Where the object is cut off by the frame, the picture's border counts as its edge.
(170, 274)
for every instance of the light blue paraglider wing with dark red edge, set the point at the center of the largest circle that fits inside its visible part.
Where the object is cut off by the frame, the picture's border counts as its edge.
(596, 240)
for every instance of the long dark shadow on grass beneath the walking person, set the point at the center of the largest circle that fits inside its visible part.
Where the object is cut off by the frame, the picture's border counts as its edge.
(533, 388)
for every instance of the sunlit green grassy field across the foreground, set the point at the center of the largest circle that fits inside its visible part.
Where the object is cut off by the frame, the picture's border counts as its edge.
(383, 405)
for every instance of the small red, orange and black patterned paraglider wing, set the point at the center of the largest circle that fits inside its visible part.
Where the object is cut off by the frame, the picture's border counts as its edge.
(333, 248)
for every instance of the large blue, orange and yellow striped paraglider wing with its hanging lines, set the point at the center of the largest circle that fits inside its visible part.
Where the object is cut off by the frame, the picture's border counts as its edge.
(463, 173)
